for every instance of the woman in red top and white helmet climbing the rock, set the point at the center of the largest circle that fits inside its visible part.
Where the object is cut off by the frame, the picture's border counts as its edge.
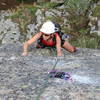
(49, 37)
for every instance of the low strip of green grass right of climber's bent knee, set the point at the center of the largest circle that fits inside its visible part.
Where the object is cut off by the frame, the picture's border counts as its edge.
(86, 42)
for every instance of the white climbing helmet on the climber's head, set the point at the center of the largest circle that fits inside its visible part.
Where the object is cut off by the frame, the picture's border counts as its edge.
(48, 27)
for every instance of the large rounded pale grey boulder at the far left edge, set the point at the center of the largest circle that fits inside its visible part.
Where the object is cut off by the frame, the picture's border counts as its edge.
(9, 31)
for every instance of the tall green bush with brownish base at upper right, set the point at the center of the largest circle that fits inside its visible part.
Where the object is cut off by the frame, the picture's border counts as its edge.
(78, 14)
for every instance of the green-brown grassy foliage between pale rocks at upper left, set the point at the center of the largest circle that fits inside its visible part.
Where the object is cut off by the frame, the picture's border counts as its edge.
(23, 15)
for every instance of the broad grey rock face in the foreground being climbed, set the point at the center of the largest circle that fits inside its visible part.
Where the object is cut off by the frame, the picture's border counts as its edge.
(26, 78)
